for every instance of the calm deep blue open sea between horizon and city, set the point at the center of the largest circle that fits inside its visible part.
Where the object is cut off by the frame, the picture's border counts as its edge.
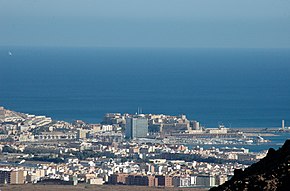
(239, 87)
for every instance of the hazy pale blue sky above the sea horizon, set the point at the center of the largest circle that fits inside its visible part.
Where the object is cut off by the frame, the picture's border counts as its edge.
(146, 23)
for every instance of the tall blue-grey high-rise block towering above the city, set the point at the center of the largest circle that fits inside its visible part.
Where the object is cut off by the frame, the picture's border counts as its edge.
(136, 127)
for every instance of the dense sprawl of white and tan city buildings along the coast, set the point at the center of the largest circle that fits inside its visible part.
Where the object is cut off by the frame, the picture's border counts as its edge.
(140, 149)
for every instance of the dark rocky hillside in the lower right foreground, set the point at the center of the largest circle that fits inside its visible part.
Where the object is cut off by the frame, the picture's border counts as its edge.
(272, 173)
